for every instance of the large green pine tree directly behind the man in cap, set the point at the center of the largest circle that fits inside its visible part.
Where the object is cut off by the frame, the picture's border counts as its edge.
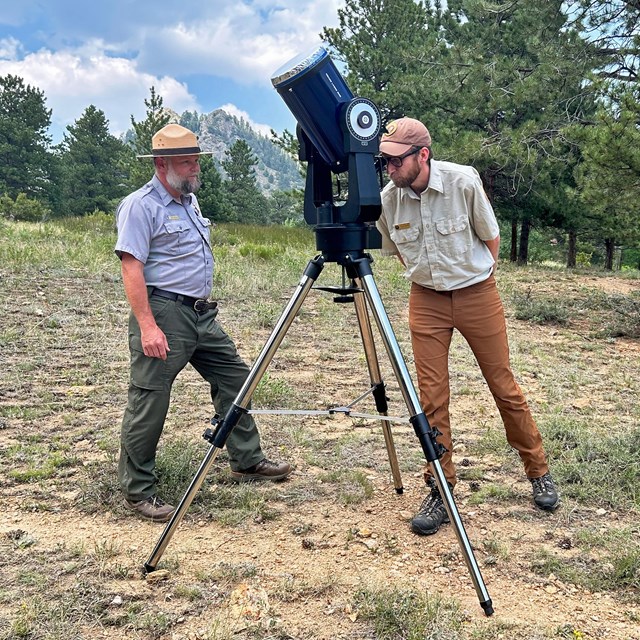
(494, 81)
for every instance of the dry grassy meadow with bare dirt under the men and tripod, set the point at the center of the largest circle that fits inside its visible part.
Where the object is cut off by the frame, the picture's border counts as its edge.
(328, 554)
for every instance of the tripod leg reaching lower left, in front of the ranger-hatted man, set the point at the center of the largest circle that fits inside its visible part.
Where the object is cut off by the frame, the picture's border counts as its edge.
(240, 405)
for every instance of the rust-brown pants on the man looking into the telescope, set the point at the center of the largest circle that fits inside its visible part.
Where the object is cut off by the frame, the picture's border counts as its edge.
(477, 313)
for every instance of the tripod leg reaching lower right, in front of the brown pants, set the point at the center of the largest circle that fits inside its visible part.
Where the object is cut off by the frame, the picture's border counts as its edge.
(421, 425)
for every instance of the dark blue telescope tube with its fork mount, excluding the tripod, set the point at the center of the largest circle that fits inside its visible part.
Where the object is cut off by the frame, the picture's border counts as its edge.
(337, 133)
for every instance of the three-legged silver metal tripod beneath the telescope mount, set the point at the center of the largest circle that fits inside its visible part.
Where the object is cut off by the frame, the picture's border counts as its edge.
(358, 268)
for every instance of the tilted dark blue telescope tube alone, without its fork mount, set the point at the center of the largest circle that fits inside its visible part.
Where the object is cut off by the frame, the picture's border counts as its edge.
(315, 92)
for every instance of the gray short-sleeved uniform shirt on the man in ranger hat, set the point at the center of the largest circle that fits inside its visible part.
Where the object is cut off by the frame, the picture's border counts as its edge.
(170, 238)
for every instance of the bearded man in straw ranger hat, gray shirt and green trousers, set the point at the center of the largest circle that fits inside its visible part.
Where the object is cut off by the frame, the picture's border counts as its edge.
(167, 270)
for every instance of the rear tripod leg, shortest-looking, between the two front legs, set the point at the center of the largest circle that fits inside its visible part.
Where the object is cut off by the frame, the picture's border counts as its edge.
(376, 382)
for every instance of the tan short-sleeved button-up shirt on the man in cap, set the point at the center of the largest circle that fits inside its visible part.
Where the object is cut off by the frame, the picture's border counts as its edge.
(440, 234)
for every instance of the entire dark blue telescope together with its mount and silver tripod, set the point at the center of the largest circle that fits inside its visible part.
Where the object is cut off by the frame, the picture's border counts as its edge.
(337, 132)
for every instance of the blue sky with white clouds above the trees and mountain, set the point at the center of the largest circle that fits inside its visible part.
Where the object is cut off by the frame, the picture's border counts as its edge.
(199, 54)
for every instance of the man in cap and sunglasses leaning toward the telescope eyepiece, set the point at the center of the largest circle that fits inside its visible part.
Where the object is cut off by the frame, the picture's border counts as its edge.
(438, 220)
